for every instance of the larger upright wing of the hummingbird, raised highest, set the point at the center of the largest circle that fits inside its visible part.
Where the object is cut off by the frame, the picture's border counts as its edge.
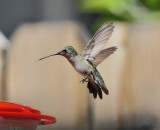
(98, 41)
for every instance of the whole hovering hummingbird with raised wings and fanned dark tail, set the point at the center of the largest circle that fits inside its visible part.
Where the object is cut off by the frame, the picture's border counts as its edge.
(93, 54)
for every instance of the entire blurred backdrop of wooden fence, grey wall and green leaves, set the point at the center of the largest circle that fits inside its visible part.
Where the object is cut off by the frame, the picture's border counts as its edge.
(31, 29)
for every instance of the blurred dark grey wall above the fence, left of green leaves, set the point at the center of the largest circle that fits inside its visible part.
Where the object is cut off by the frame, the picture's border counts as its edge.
(14, 13)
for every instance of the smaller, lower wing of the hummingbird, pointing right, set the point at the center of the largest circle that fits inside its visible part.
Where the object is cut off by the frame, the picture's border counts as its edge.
(103, 55)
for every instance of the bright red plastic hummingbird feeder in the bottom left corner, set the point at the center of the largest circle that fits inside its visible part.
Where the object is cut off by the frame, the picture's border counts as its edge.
(13, 115)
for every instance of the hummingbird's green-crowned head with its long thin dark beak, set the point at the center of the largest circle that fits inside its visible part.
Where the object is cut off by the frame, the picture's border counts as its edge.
(67, 52)
